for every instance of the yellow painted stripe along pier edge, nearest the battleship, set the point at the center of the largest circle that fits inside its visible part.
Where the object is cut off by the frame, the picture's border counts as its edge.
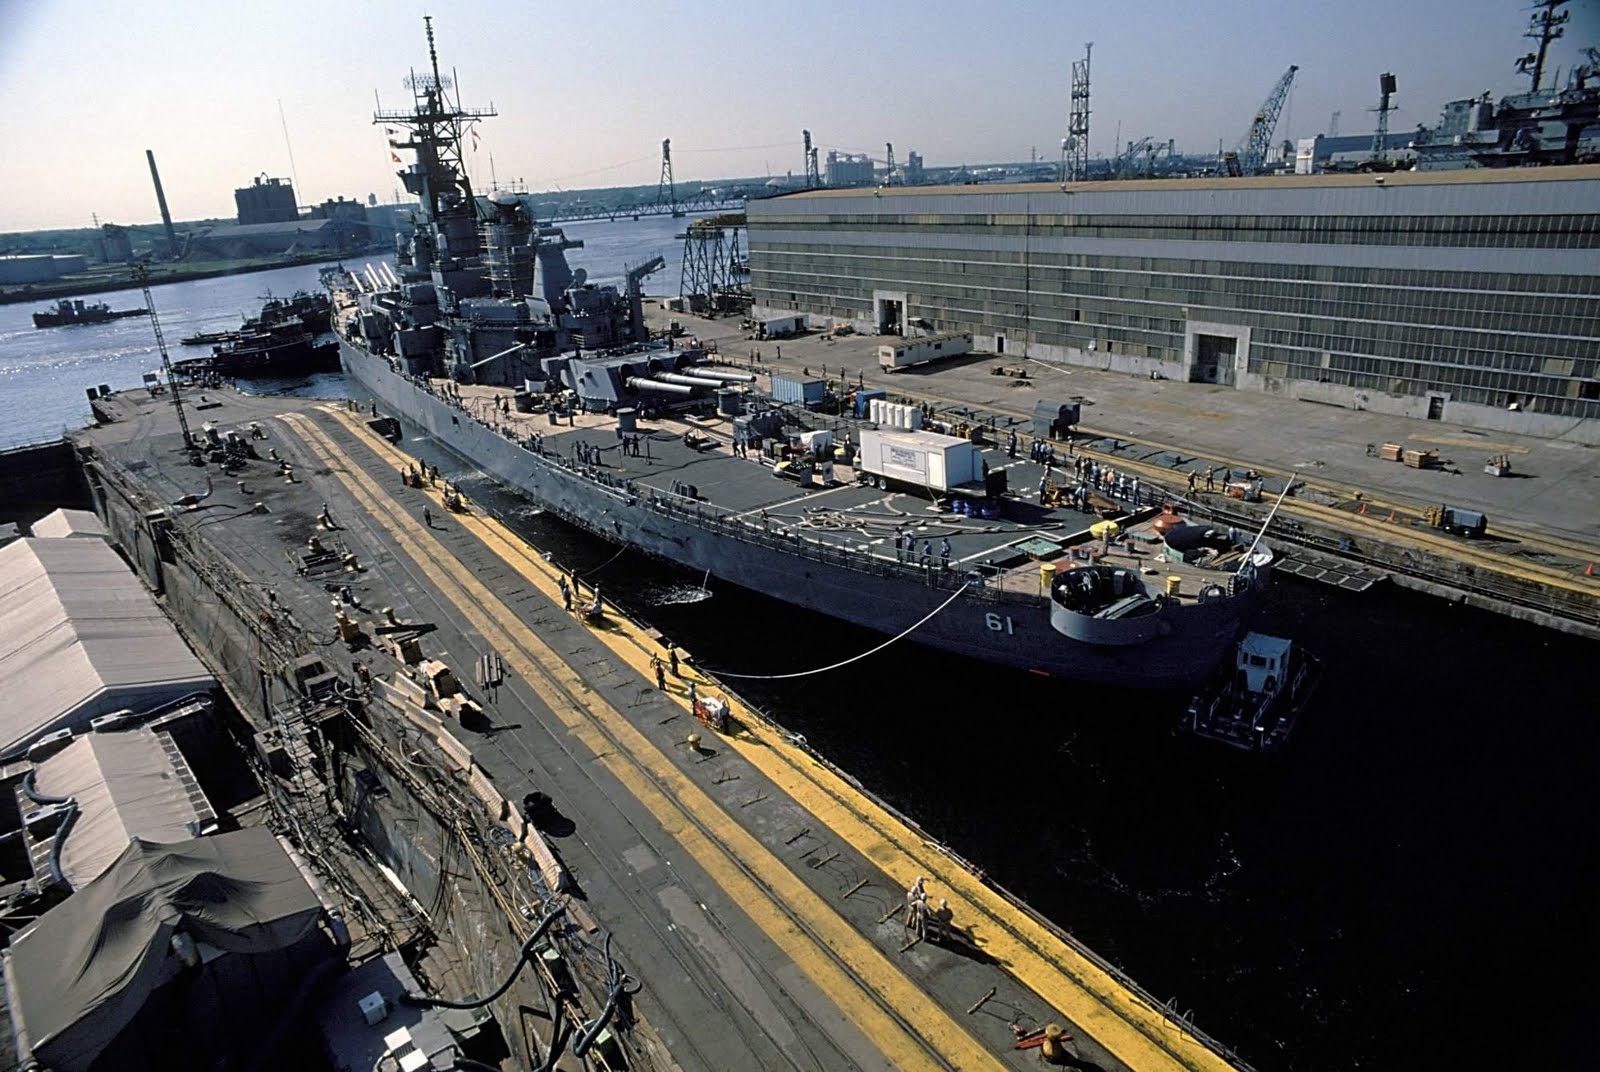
(1119, 1020)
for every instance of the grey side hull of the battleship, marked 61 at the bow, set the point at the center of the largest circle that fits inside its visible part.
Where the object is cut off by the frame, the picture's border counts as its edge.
(1002, 628)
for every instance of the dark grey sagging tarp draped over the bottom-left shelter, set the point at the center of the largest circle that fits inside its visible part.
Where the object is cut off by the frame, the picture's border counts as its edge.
(86, 970)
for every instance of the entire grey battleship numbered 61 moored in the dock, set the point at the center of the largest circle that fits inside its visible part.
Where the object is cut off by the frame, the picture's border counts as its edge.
(934, 530)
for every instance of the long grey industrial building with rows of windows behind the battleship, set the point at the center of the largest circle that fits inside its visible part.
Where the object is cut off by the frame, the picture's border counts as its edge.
(1471, 297)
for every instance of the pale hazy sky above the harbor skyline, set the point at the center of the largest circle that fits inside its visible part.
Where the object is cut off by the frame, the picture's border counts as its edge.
(586, 92)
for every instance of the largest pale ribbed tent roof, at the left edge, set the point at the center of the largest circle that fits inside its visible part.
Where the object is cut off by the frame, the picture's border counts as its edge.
(82, 638)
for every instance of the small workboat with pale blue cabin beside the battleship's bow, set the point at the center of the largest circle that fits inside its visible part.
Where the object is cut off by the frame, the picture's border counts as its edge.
(1255, 703)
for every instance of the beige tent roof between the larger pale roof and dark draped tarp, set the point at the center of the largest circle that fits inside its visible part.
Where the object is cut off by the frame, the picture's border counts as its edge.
(127, 786)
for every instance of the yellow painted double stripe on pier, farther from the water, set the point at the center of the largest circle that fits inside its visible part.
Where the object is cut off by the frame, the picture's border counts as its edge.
(806, 927)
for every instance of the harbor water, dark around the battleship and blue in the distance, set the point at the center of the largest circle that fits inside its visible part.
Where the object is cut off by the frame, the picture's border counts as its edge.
(1409, 884)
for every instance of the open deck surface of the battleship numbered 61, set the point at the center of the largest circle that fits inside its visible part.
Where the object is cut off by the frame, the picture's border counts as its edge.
(850, 516)
